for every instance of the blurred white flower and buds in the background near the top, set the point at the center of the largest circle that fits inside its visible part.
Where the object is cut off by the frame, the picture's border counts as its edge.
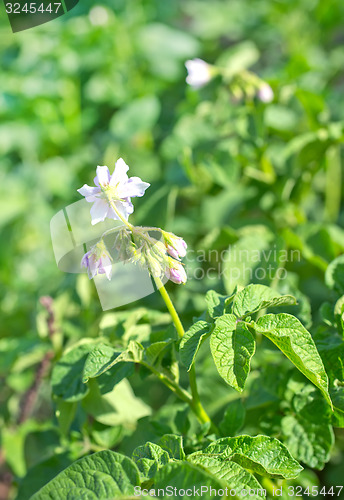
(241, 84)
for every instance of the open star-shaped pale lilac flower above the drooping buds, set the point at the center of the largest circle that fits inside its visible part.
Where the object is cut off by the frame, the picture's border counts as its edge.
(111, 196)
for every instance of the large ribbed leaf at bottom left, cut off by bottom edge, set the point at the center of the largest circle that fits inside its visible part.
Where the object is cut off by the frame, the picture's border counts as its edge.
(101, 476)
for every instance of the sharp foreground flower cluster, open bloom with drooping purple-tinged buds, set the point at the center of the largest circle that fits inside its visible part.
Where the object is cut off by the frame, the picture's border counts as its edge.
(111, 198)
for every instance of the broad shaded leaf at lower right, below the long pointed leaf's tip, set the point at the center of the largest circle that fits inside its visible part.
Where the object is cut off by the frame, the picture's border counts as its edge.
(309, 442)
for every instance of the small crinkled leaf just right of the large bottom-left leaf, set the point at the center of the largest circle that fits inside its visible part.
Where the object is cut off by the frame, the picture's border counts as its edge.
(149, 458)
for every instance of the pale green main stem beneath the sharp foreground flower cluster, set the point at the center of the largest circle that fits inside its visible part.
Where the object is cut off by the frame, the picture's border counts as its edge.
(195, 403)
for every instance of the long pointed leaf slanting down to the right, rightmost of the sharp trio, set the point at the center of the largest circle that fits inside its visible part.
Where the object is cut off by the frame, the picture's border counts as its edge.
(292, 338)
